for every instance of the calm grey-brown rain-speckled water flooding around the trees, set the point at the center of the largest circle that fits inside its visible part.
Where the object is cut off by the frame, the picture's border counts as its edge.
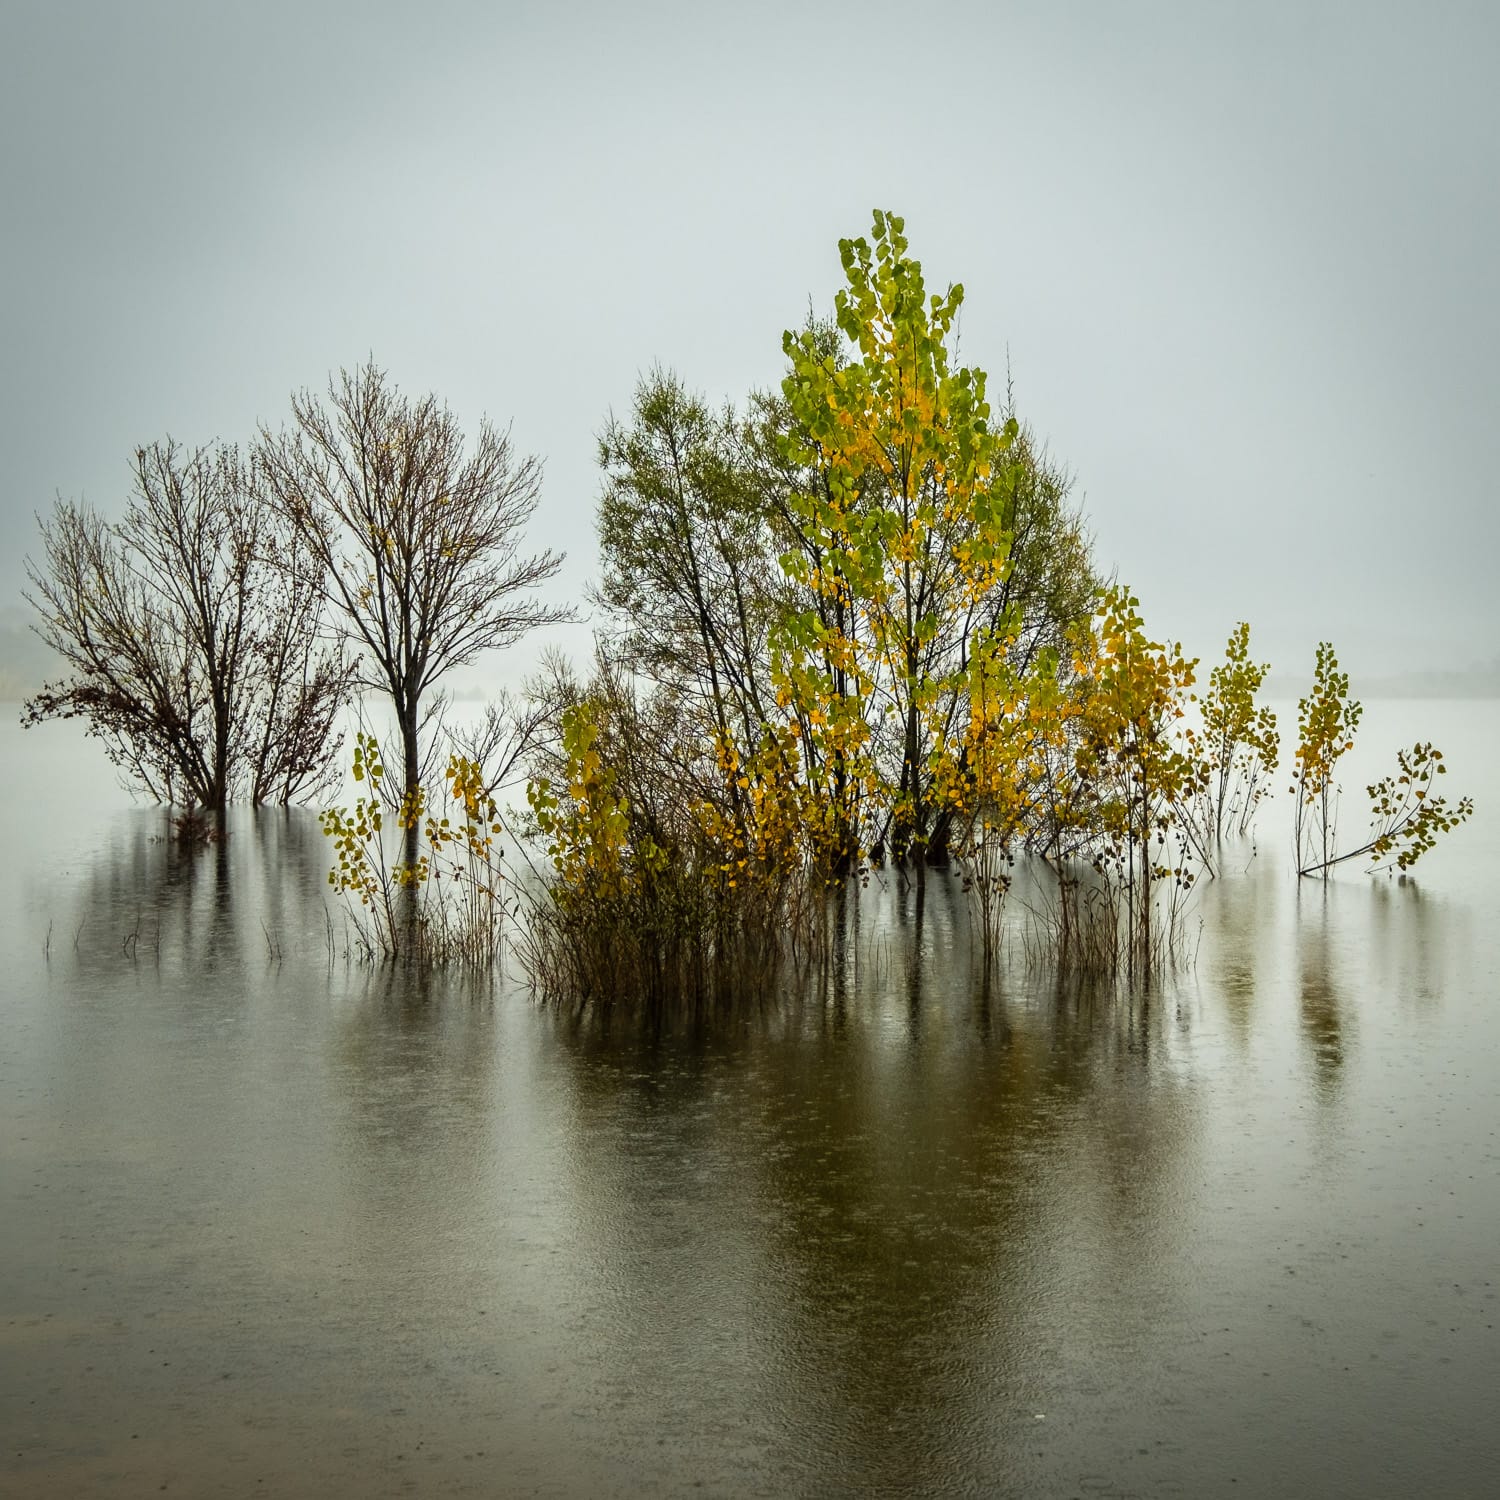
(277, 1225)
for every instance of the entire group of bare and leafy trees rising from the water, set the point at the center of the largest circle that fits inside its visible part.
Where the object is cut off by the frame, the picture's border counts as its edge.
(848, 623)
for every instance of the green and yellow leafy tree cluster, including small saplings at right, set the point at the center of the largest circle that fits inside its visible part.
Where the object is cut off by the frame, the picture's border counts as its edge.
(857, 622)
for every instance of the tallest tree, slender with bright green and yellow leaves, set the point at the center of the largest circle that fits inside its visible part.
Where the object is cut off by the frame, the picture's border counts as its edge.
(901, 541)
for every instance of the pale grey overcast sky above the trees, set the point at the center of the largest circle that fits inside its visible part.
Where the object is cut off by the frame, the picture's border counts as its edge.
(1243, 259)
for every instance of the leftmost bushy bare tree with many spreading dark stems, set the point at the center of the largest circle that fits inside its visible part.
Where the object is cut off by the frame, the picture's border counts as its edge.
(193, 628)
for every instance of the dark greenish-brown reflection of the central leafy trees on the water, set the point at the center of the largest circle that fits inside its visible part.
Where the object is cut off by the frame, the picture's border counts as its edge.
(905, 1195)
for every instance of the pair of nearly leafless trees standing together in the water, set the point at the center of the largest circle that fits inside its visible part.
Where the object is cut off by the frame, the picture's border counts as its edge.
(217, 632)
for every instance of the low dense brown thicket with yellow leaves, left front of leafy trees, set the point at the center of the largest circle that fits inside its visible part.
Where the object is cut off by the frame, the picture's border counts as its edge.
(664, 883)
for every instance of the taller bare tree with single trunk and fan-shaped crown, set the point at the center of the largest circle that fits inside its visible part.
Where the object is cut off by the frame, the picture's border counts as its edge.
(419, 544)
